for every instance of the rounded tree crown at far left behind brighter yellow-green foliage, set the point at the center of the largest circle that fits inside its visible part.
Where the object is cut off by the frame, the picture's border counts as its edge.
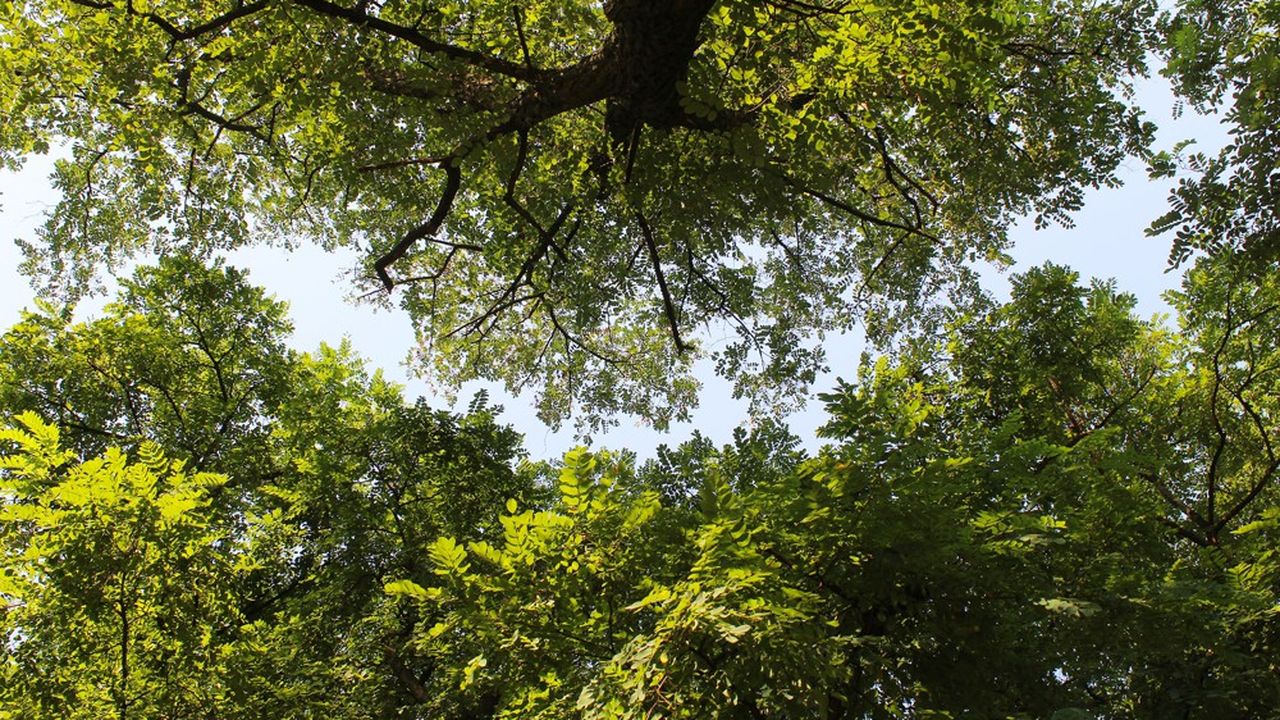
(190, 357)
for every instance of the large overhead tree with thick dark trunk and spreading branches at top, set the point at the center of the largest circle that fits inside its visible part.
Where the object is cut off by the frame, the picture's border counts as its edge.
(566, 192)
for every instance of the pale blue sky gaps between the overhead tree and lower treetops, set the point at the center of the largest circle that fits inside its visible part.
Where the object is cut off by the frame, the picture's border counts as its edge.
(1108, 241)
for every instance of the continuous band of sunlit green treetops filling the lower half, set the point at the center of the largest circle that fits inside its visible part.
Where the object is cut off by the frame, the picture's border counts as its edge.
(1054, 511)
